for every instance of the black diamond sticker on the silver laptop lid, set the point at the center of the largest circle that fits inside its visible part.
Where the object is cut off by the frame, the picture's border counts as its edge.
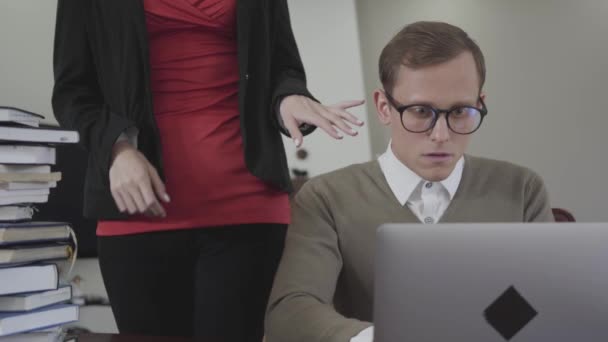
(509, 313)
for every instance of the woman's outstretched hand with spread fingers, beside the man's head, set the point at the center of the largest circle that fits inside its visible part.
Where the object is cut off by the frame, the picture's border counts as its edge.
(296, 110)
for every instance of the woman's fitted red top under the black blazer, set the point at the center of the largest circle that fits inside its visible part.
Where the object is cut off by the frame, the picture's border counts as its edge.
(194, 76)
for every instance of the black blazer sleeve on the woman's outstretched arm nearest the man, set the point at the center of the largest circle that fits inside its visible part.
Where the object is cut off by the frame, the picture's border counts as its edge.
(287, 71)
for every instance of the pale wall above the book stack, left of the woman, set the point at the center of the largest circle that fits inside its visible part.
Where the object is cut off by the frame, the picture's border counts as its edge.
(26, 43)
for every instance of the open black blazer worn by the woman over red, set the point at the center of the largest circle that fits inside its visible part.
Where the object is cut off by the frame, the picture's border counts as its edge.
(102, 86)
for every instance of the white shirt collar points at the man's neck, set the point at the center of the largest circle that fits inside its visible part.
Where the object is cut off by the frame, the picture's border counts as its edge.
(403, 181)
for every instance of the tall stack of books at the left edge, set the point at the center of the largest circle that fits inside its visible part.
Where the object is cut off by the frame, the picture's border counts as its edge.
(34, 303)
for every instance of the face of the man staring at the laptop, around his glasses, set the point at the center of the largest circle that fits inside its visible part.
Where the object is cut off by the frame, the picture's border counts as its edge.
(432, 154)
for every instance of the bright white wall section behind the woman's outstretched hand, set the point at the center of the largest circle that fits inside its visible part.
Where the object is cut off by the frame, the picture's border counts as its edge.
(328, 38)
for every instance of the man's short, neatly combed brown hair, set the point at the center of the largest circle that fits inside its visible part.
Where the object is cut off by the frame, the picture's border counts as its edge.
(426, 43)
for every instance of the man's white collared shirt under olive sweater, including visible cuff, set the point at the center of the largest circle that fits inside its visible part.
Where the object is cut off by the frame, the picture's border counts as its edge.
(427, 200)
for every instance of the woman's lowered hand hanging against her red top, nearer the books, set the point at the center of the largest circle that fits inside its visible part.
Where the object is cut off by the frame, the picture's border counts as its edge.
(136, 186)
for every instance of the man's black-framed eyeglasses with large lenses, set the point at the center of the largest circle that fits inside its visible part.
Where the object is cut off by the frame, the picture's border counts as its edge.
(418, 118)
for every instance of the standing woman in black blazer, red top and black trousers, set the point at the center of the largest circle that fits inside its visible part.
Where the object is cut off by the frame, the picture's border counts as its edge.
(180, 104)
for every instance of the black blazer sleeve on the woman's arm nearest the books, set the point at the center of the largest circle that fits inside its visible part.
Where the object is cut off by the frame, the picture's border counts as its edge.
(77, 99)
